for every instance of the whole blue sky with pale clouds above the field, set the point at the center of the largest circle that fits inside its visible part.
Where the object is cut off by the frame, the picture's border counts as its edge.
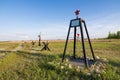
(25, 19)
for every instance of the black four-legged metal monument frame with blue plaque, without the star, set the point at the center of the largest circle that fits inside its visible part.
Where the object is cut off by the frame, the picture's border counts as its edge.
(74, 24)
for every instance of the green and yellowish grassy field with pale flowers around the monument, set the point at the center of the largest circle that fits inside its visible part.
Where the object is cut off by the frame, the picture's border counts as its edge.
(29, 63)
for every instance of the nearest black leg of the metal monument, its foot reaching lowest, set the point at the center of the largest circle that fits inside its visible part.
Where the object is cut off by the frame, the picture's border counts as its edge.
(83, 45)
